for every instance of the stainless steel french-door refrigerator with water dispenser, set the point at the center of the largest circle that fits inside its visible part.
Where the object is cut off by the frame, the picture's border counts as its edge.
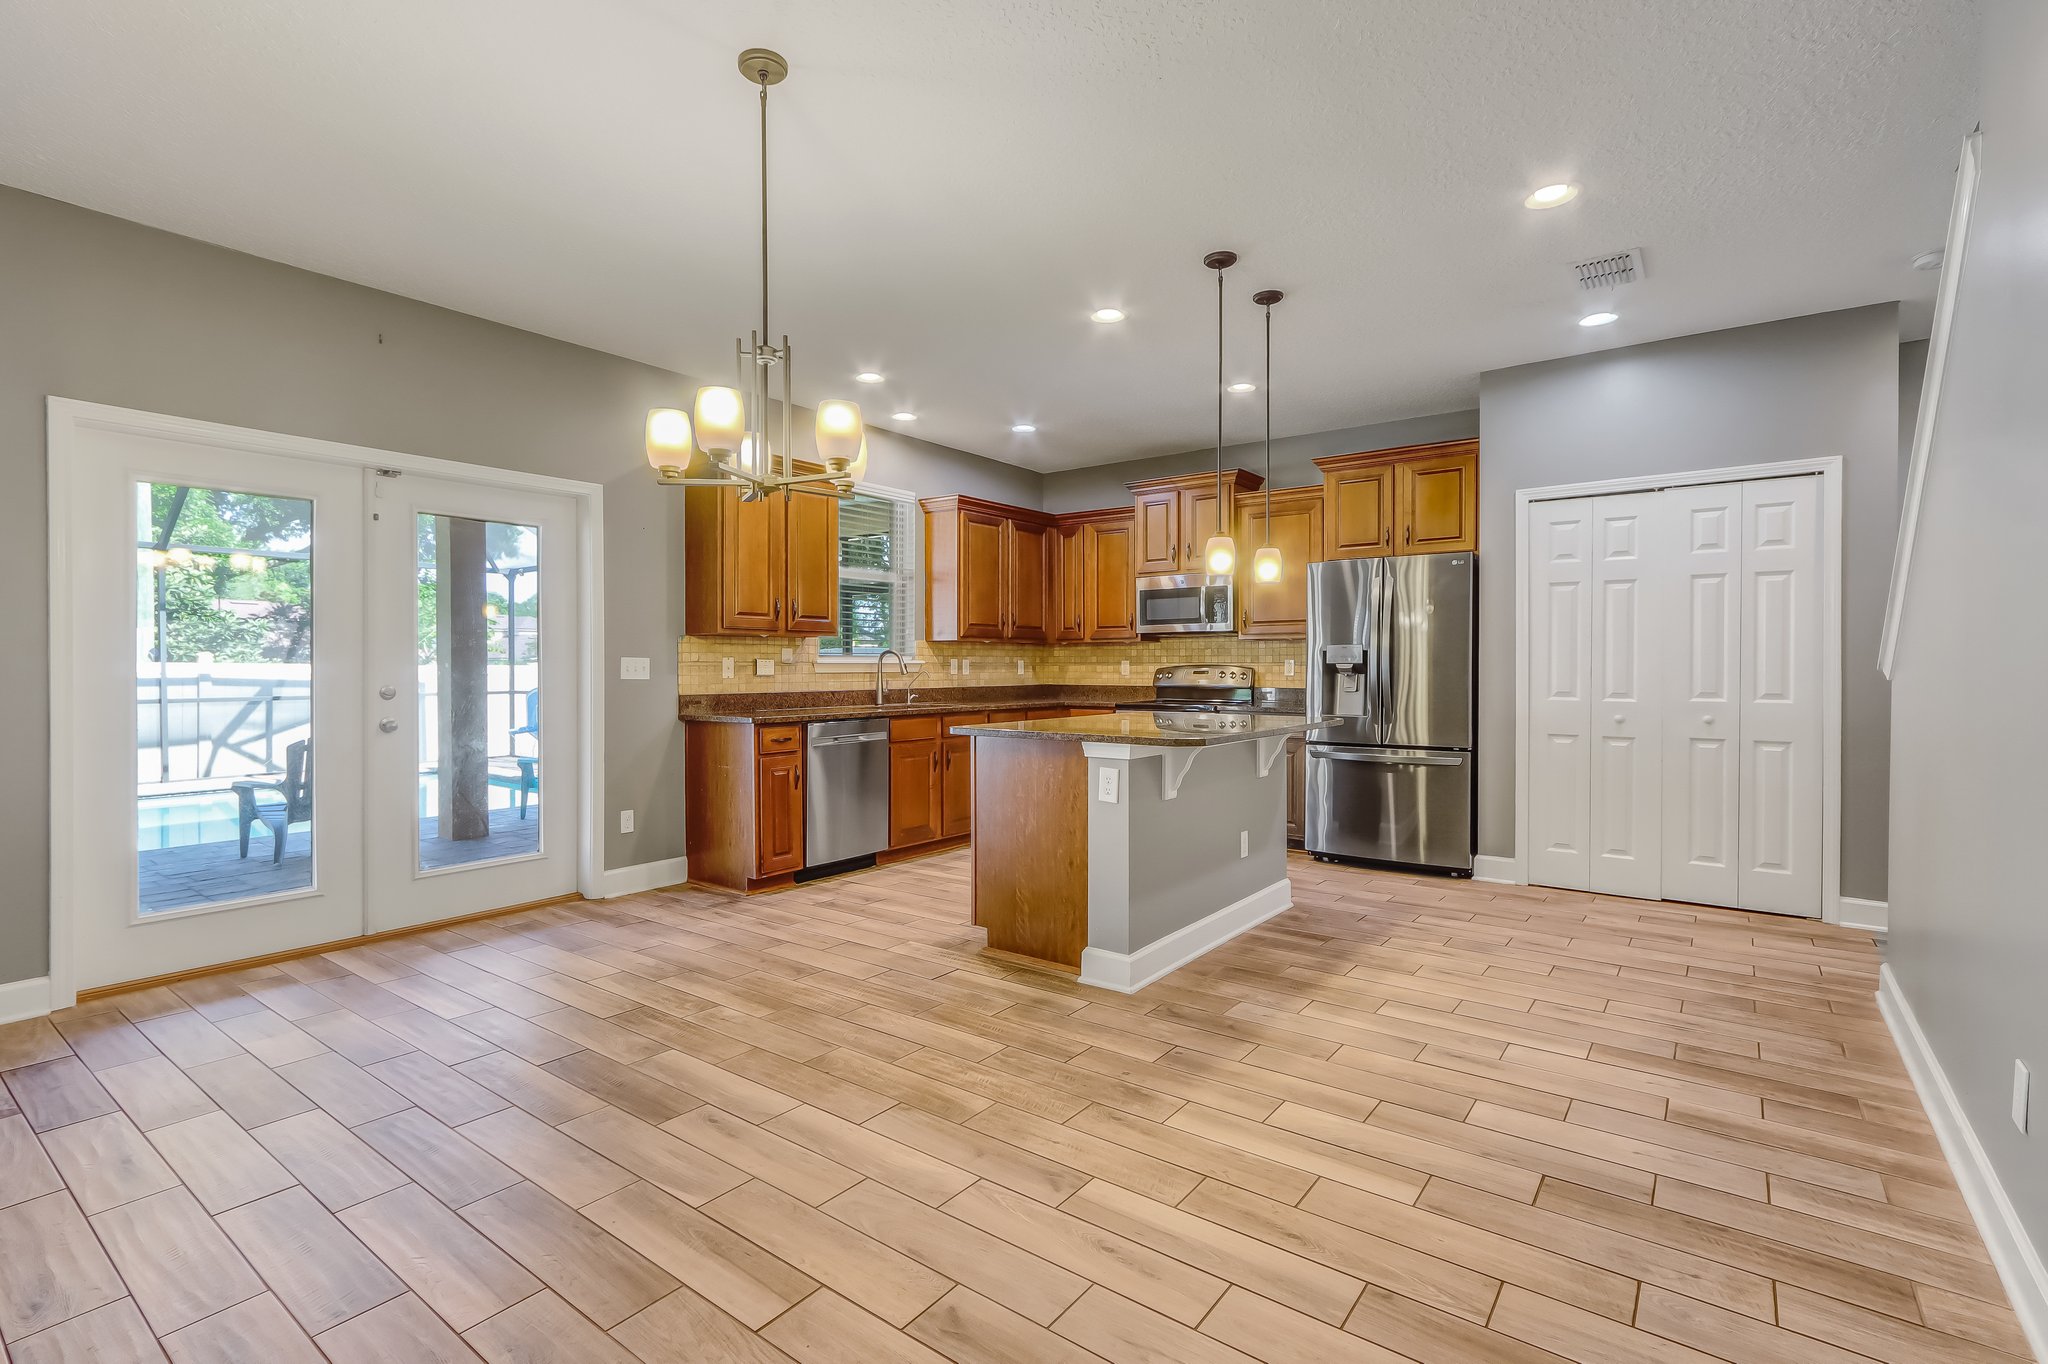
(1392, 646)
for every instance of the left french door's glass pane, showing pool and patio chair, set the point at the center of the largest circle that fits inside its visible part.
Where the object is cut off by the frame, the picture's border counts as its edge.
(224, 693)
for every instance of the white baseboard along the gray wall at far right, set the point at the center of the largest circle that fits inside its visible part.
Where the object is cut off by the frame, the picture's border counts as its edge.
(2012, 1252)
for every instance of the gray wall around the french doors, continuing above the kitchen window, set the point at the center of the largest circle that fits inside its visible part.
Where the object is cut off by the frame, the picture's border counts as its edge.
(103, 310)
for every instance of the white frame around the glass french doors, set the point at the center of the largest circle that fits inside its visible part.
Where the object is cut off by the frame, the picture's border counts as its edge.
(67, 423)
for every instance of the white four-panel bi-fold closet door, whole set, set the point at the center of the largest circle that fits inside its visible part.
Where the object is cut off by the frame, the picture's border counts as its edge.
(1674, 693)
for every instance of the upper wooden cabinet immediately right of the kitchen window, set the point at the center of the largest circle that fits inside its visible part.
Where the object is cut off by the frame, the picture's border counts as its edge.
(988, 570)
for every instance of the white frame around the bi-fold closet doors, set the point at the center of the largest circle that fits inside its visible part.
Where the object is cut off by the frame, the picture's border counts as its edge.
(1830, 470)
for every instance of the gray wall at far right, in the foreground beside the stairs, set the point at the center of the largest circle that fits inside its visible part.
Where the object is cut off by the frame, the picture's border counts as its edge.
(1969, 740)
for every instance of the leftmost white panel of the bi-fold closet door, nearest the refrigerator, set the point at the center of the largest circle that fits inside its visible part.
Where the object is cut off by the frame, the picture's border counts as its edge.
(1560, 691)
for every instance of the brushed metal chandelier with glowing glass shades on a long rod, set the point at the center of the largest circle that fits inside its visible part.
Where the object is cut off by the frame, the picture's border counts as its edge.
(724, 443)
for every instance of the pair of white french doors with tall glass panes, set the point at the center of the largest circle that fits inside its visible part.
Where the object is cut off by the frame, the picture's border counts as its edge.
(304, 701)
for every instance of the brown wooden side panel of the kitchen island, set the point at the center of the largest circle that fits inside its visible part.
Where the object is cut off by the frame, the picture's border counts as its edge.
(1031, 849)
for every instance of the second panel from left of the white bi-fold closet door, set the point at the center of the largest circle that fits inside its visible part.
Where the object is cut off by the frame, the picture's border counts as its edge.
(1627, 798)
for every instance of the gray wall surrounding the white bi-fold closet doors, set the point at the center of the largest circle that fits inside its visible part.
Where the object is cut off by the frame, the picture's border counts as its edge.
(1785, 390)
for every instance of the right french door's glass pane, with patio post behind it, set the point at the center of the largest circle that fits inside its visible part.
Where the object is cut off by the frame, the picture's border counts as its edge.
(478, 691)
